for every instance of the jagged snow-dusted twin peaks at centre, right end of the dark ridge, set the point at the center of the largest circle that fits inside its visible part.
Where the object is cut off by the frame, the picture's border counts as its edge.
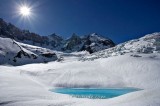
(91, 43)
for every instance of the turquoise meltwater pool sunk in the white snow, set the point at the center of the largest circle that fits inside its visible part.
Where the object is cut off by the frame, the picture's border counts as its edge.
(94, 93)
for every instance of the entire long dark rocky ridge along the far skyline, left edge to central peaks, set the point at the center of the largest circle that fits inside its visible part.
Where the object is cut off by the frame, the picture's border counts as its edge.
(91, 43)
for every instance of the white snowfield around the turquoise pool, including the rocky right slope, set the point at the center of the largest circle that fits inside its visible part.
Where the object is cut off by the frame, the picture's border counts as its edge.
(30, 84)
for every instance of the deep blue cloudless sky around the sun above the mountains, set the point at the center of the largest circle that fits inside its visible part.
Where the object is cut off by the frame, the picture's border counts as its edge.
(120, 20)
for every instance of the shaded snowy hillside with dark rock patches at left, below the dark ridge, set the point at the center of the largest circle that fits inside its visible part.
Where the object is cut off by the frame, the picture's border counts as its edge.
(15, 53)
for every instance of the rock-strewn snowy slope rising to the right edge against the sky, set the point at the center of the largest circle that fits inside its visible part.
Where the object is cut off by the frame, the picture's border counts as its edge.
(150, 43)
